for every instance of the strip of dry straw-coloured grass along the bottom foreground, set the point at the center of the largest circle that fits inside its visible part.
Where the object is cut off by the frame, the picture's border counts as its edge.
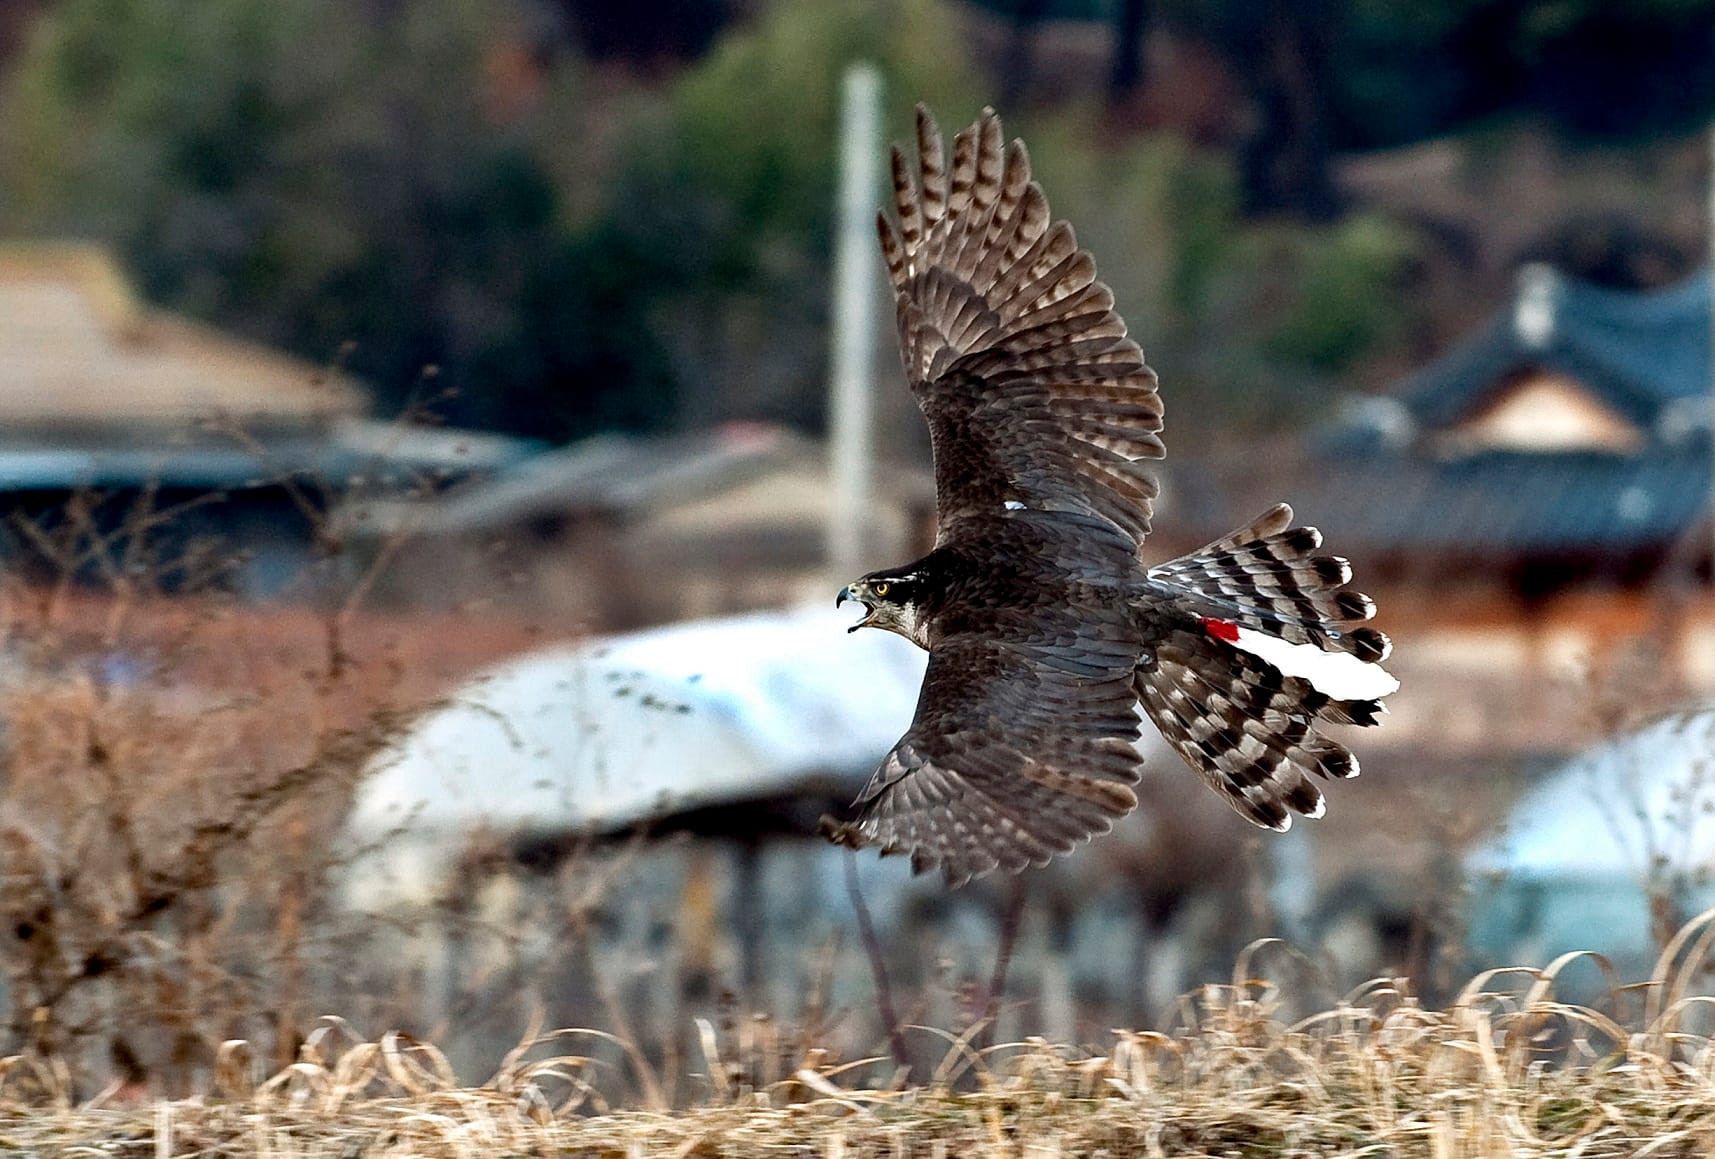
(1507, 1071)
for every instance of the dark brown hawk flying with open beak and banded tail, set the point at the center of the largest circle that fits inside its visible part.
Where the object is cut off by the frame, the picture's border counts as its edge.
(1045, 628)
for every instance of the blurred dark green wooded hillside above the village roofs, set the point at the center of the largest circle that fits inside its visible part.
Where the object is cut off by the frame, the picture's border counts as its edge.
(584, 236)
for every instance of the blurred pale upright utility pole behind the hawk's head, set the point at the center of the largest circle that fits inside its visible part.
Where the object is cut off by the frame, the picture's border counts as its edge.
(851, 371)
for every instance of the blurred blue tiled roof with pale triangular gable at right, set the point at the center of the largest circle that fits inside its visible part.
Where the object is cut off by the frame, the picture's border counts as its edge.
(1450, 465)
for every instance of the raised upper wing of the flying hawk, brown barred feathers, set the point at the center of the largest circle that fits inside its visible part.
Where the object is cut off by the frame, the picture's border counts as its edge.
(1032, 390)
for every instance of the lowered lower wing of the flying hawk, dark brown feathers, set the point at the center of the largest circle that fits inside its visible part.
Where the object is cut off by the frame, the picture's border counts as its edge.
(1020, 752)
